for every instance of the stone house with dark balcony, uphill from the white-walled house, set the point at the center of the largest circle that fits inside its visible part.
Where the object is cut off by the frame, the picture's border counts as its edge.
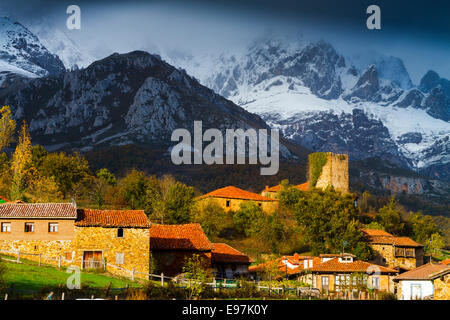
(395, 252)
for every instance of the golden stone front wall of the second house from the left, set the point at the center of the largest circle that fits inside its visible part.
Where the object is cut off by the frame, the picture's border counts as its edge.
(135, 247)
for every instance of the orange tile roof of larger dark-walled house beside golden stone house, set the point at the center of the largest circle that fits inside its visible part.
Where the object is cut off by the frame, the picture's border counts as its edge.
(179, 237)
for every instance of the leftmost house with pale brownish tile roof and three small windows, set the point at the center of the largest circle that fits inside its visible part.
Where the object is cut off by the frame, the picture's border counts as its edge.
(45, 228)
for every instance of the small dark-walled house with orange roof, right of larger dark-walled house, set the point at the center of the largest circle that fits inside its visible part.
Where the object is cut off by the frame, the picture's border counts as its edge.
(228, 262)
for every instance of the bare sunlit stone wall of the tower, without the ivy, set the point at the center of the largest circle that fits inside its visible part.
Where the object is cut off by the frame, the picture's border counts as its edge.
(335, 173)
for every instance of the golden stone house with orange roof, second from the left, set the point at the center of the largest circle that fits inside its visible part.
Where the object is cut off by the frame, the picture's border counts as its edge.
(117, 237)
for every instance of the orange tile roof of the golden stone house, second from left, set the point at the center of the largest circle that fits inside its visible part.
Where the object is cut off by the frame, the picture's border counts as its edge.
(112, 218)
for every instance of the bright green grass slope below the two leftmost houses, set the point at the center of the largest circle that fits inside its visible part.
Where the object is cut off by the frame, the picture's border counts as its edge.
(28, 276)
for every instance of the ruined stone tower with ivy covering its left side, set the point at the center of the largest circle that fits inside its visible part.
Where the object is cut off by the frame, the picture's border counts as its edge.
(329, 169)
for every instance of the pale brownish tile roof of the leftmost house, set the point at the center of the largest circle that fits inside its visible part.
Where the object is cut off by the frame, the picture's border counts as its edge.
(38, 210)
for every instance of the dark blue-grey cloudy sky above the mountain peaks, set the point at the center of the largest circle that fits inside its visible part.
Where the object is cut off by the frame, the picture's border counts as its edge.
(416, 31)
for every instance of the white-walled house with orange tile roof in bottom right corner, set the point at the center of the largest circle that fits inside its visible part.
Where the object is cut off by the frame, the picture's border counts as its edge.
(418, 284)
